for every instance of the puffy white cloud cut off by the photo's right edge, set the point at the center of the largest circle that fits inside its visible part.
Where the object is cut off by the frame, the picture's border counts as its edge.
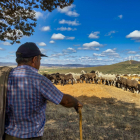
(135, 35)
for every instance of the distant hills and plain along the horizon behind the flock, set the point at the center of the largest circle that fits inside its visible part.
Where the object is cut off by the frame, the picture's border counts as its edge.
(131, 67)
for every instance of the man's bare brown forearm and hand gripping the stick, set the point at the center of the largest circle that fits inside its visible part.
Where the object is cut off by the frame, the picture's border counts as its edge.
(70, 101)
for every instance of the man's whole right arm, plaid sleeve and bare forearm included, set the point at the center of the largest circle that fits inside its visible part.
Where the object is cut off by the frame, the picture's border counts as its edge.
(51, 93)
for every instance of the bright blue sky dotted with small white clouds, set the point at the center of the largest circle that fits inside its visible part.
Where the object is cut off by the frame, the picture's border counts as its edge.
(91, 32)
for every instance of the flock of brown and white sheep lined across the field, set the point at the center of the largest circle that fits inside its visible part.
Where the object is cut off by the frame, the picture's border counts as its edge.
(127, 82)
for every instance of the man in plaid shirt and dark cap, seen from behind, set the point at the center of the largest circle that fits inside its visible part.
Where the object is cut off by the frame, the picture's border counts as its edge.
(27, 94)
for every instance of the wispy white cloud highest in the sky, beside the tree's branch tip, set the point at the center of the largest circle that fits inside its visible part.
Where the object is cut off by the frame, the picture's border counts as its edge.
(67, 11)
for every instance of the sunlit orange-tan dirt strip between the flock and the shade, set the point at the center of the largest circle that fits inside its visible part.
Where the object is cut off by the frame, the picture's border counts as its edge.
(100, 91)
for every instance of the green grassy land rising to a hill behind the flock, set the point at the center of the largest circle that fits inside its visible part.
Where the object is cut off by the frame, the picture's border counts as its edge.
(119, 68)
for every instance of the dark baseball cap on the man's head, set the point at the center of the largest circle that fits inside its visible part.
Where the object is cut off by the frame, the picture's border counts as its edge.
(28, 49)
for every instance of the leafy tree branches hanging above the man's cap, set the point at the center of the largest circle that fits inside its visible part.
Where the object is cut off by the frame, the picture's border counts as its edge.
(17, 17)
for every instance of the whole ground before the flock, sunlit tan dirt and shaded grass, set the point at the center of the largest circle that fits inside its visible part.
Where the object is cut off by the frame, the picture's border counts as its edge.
(109, 113)
